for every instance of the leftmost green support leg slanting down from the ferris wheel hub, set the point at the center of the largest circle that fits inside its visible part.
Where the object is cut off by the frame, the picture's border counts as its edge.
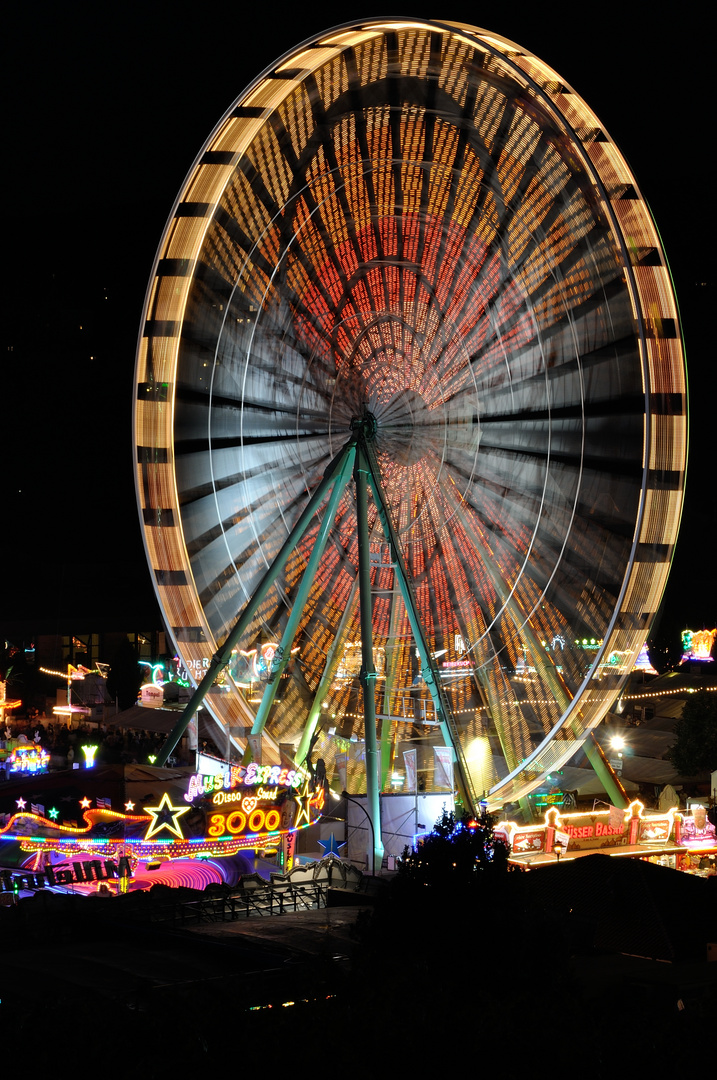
(223, 656)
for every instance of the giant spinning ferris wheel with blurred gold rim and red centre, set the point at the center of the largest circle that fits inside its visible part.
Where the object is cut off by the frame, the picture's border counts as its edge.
(411, 406)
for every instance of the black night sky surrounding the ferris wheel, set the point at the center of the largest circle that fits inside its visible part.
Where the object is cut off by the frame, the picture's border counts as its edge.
(106, 110)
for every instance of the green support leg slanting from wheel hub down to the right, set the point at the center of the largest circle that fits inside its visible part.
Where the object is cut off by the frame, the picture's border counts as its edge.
(428, 669)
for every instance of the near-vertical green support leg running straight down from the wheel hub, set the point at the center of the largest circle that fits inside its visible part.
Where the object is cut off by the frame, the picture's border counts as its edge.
(368, 677)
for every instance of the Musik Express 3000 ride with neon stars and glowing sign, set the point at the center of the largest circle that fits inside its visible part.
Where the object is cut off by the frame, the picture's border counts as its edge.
(131, 827)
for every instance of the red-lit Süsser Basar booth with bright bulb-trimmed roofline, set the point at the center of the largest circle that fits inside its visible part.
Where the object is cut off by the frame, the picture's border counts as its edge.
(682, 840)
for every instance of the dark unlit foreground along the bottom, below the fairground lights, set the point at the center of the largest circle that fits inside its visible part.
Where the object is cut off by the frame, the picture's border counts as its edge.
(497, 978)
